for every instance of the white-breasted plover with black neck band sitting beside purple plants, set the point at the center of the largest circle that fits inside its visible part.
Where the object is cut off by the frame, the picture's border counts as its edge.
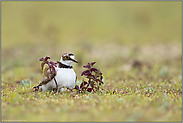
(65, 75)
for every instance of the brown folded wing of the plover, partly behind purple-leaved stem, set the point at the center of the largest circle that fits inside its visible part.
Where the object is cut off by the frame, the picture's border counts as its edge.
(46, 79)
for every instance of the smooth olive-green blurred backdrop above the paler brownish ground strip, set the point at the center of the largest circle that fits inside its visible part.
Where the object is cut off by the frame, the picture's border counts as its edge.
(69, 23)
